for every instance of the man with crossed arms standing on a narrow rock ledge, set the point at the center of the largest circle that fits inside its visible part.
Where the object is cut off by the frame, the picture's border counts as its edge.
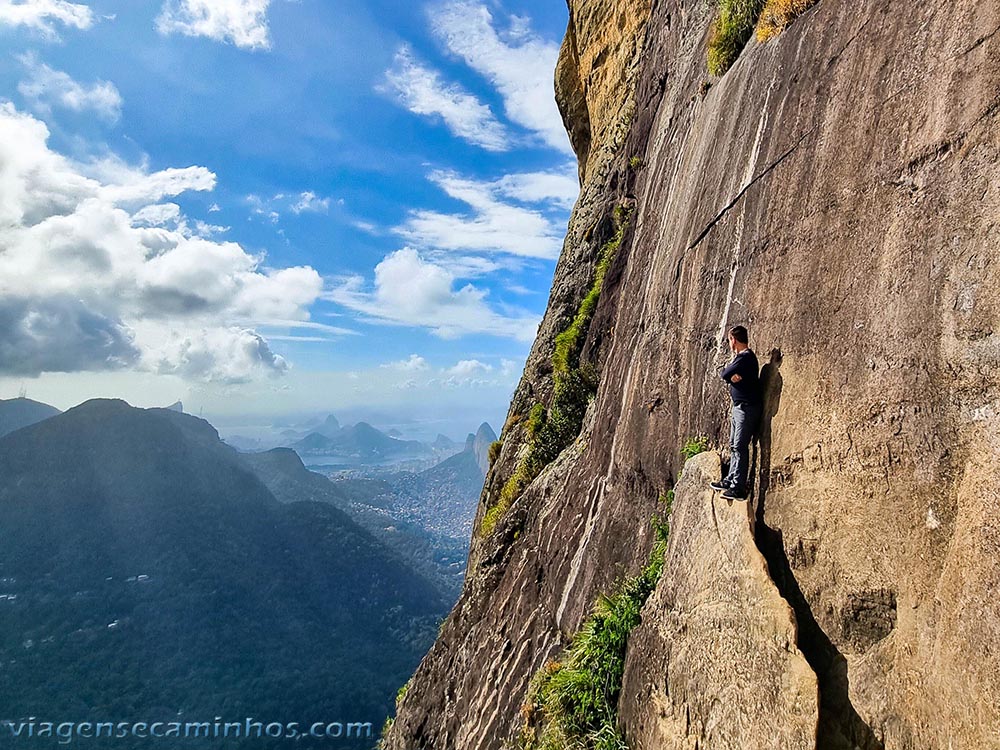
(743, 376)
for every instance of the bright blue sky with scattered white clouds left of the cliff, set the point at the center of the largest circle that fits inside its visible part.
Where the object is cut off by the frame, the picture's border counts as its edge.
(286, 206)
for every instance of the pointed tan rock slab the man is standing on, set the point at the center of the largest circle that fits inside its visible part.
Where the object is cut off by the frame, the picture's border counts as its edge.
(715, 662)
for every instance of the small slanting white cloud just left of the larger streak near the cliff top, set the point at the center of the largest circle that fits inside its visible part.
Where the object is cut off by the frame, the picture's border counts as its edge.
(421, 90)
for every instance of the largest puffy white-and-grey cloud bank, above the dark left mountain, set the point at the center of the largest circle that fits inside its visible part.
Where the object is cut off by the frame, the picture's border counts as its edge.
(96, 274)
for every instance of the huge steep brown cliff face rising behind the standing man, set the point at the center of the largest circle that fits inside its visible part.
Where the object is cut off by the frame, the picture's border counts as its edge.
(838, 191)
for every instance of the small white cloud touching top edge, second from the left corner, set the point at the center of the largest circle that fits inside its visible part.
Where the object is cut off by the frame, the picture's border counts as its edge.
(239, 22)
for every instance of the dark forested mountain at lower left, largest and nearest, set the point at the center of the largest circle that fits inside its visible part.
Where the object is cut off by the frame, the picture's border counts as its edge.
(146, 570)
